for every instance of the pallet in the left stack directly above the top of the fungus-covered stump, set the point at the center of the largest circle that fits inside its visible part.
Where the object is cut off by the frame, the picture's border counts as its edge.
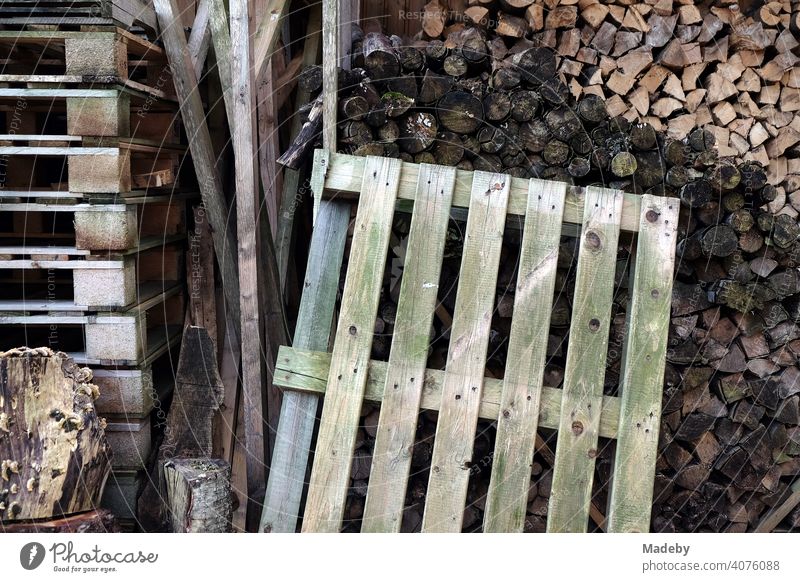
(135, 337)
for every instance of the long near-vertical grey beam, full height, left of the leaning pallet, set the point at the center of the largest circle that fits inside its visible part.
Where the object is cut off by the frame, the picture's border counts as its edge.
(247, 234)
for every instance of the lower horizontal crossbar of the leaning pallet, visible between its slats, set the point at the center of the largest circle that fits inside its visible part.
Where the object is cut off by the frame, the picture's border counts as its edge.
(307, 372)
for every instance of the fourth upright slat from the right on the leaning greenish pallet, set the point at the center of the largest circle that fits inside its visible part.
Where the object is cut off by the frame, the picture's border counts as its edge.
(466, 359)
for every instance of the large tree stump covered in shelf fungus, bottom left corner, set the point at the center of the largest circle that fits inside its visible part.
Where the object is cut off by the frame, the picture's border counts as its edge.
(53, 450)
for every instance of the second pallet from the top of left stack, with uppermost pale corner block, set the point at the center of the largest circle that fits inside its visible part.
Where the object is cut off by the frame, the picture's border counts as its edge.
(108, 56)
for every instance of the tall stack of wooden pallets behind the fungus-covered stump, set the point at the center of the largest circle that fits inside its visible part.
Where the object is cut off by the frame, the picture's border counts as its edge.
(93, 221)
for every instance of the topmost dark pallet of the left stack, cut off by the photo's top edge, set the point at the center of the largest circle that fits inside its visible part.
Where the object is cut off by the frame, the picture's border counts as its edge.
(126, 13)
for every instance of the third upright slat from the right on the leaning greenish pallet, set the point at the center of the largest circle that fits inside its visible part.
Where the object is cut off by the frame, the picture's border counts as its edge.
(507, 498)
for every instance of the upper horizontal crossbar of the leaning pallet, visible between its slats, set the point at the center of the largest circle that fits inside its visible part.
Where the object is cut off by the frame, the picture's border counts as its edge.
(345, 173)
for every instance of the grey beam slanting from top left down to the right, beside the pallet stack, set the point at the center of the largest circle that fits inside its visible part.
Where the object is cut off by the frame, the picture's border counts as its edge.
(202, 151)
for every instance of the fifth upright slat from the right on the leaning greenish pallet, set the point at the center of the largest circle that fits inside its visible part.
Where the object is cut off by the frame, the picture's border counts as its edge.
(391, 459)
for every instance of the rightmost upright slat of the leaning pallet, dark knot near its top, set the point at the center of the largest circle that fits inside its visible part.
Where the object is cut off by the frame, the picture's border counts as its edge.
(643, 367)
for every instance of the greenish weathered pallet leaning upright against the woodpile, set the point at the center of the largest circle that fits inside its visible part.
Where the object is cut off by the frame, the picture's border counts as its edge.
(519, 403)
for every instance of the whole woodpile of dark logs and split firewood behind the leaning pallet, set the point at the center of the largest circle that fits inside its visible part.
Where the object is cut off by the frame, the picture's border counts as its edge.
(685, 100)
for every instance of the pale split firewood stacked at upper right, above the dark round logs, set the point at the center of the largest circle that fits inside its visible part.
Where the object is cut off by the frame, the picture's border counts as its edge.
(732, 68)
